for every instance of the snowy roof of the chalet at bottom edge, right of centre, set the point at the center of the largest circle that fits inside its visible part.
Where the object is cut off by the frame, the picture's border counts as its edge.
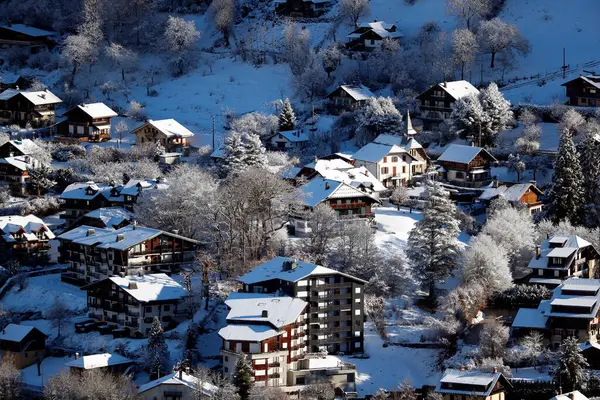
(468, 382)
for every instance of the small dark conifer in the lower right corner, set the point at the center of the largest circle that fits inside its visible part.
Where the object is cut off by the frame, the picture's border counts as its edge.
(570, 365)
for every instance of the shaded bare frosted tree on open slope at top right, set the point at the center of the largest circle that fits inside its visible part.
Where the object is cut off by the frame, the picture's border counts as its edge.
(497, 36)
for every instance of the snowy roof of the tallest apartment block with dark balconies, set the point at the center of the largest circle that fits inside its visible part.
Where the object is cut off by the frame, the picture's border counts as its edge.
(276, 269)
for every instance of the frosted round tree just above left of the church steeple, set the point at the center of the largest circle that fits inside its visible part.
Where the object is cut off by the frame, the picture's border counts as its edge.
(378, 115)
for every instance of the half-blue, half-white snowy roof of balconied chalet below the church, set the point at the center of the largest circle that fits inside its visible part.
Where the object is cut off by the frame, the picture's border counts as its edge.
(318, 190)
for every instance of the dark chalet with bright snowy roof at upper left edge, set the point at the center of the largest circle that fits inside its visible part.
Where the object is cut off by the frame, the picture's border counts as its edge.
(28, 107)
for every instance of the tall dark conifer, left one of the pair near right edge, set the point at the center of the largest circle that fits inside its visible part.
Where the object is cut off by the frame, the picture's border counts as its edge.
(566, 192)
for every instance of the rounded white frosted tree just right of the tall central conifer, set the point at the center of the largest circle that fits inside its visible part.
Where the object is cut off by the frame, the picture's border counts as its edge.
(485, 262)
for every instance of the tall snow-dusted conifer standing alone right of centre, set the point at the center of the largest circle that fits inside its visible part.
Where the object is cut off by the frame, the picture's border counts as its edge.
(433, 243)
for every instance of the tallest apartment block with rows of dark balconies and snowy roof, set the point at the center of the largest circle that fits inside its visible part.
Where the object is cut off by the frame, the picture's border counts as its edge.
(335, 301)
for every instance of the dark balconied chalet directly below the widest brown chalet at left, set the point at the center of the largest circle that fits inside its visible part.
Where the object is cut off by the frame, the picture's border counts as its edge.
(130, 303)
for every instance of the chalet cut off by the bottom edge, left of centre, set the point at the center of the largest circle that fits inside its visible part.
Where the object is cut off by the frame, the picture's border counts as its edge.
(178, 385)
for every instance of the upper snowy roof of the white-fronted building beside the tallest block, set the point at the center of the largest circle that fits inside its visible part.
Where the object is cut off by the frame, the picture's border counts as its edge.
(278, 311)
